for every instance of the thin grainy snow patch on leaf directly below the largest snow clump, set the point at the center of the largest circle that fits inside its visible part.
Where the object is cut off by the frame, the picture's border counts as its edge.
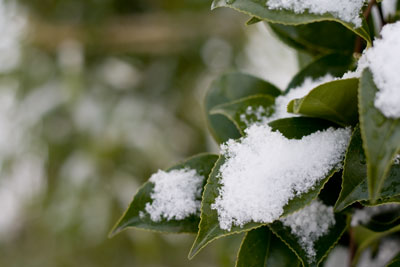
(309, 224)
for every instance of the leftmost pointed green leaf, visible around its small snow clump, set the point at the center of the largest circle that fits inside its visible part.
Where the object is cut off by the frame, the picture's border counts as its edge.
(203, 164)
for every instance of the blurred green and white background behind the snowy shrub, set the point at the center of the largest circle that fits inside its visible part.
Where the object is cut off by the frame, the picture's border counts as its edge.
(97, 95)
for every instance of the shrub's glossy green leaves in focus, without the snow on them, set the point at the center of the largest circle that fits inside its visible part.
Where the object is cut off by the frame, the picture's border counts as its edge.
(368, 176)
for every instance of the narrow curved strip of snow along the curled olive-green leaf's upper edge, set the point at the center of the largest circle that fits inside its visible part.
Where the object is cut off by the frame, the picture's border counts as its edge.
(281, 102)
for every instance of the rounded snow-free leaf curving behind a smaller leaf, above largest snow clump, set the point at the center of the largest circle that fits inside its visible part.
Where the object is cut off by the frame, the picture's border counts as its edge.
(228, 88)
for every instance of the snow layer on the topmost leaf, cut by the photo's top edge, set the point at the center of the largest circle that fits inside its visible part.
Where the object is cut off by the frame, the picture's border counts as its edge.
(346, 10)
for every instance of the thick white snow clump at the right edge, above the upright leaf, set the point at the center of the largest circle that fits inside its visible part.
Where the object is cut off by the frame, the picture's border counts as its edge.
(383, 61)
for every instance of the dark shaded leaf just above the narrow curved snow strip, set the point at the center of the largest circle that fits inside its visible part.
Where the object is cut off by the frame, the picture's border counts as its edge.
(334, 64)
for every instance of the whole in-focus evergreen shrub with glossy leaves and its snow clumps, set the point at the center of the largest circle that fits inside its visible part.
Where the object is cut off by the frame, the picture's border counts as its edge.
(309, 172)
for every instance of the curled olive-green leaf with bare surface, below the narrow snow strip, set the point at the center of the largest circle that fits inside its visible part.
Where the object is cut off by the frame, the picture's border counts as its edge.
(334, 101)
